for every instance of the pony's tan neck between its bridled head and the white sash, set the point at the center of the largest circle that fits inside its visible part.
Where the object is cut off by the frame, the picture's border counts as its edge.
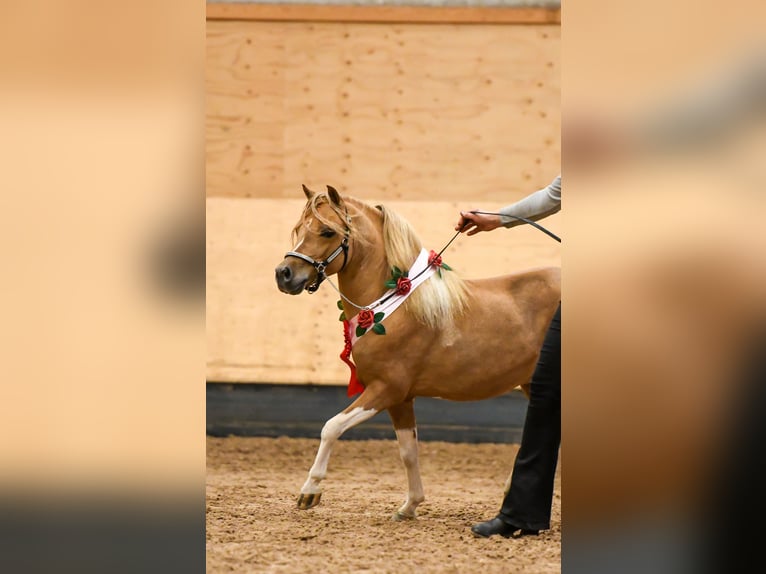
(367, 271)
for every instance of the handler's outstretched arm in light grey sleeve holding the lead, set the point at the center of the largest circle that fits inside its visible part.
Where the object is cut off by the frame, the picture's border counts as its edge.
(537, 205)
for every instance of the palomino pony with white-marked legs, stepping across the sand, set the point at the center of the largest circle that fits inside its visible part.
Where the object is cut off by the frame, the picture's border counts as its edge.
(451, 339)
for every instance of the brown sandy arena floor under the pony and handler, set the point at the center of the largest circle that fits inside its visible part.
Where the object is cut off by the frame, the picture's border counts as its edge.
(253, 524)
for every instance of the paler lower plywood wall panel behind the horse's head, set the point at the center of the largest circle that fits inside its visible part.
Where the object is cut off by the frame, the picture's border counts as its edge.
(257, 334)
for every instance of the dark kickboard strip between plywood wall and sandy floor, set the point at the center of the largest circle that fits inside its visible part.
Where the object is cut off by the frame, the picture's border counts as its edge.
(244, 409)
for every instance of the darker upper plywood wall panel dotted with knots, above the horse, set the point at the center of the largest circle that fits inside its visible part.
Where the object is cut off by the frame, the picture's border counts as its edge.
(409, 112)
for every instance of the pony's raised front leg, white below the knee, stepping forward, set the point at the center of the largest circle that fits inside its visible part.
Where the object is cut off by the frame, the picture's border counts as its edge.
(366, 406)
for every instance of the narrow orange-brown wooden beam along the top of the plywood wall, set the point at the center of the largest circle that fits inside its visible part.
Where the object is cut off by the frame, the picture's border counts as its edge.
(384, 14)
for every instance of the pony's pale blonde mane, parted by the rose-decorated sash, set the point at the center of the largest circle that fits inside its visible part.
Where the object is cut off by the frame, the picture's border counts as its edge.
(437, 301)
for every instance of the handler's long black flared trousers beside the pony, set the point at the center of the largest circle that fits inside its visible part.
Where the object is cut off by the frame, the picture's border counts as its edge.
(527, 503)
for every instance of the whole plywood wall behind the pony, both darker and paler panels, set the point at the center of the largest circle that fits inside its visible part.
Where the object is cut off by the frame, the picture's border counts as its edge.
(425, 118)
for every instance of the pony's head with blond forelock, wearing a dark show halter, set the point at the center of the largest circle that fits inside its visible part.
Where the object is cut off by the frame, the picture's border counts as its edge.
(321, 243)
